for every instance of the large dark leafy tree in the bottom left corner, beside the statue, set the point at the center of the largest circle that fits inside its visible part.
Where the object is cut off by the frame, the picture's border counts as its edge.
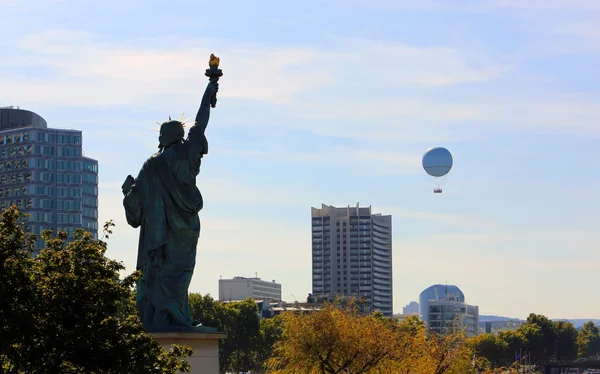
(68, 311)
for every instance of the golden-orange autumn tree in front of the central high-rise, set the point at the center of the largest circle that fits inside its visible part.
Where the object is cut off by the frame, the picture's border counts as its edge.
(336, 340)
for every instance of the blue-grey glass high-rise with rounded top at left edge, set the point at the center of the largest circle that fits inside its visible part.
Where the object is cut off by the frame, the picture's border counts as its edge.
(44, 173)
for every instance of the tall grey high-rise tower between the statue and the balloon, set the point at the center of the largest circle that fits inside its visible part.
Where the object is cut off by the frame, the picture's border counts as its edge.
(352, 255)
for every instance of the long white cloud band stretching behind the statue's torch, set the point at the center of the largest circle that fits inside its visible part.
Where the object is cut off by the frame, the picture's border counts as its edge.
(89, 71)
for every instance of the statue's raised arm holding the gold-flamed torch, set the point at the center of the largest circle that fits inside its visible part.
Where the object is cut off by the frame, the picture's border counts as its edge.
(196, 134)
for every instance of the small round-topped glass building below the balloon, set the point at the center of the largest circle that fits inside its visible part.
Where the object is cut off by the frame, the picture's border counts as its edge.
(443, 309)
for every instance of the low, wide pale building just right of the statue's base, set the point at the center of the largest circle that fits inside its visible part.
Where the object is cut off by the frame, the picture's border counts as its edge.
(240, 288)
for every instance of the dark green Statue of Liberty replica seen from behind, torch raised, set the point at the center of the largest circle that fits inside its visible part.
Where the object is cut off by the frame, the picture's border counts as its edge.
(164, 202)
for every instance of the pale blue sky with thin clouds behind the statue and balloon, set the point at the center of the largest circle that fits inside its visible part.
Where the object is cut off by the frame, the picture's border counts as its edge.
(335, 102)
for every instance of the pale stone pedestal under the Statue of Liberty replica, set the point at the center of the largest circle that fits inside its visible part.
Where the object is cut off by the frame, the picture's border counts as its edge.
(205, 359)
